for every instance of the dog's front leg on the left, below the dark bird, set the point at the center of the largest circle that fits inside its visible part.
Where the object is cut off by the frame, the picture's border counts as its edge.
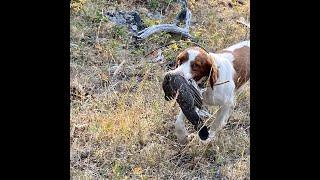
(180, 128)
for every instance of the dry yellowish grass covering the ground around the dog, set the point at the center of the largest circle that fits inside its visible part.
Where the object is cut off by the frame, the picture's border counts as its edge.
(121, 126)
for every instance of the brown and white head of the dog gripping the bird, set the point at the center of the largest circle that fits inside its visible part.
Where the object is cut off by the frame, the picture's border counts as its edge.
(195, 63)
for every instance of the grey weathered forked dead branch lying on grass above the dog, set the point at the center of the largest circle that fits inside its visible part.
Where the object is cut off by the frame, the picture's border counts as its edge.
(184, 15)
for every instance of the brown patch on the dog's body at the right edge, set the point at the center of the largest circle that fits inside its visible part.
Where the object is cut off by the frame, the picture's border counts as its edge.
(241, 65)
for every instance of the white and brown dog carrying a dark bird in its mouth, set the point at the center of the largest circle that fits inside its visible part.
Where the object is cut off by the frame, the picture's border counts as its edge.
(231, 64)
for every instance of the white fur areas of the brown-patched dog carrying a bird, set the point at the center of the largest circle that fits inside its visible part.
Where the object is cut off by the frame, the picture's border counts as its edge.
(221, 95)
